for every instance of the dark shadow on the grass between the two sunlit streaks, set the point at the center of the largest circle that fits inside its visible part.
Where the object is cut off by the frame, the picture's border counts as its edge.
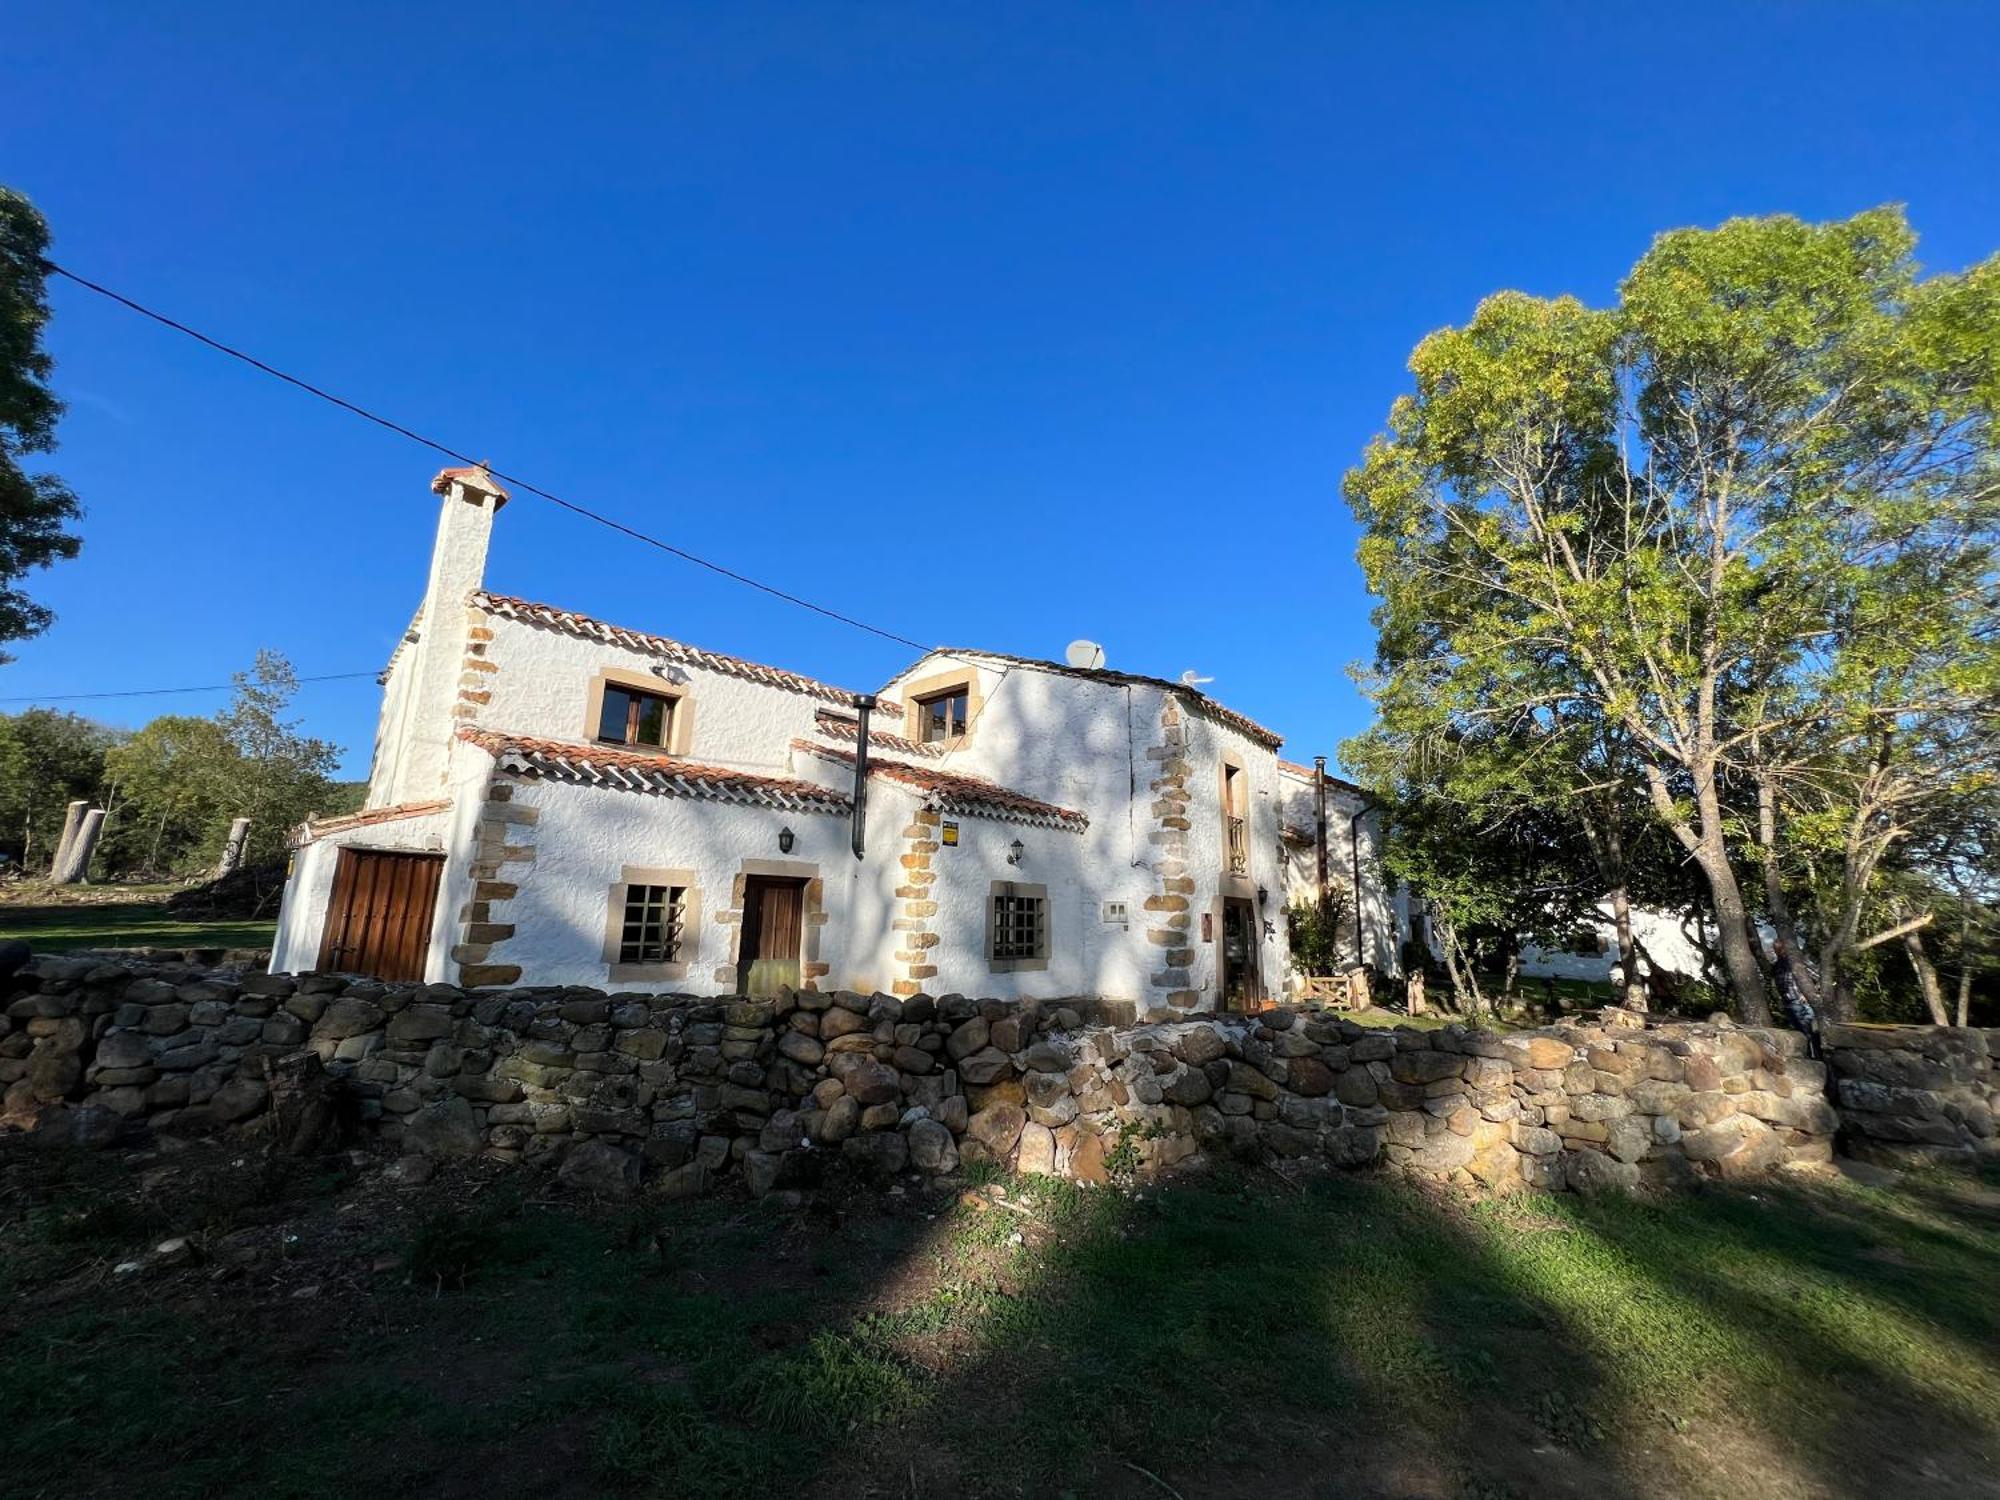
(1243, 1337)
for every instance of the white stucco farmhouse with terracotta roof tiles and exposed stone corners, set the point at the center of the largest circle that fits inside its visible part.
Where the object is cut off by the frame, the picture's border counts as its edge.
(561, 801)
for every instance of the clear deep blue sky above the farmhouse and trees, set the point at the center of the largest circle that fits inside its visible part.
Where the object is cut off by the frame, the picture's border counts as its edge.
(995, 325)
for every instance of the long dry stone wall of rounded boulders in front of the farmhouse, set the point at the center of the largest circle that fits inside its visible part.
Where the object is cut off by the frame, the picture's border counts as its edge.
(689, 1091)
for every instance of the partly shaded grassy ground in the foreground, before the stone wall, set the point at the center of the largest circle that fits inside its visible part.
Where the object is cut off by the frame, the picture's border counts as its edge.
(1341, 1337)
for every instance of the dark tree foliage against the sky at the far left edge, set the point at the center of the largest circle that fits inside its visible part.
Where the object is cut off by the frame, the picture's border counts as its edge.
(35, 509)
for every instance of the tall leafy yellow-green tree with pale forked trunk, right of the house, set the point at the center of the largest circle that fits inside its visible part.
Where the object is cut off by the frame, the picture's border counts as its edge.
(1745, 521)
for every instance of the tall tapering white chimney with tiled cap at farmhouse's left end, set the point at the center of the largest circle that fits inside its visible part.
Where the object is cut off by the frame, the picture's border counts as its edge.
(415, 743)
